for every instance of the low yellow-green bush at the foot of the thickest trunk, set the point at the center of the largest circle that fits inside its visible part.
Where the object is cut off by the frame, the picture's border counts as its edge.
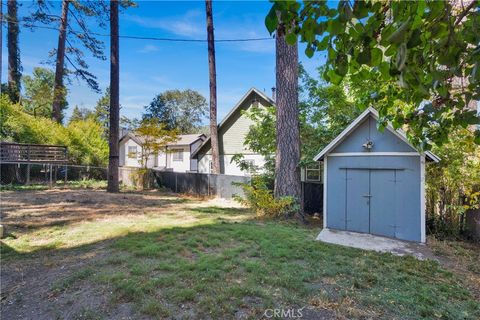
(259, 197)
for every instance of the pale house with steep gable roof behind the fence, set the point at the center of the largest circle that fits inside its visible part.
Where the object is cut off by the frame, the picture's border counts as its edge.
(232, 131)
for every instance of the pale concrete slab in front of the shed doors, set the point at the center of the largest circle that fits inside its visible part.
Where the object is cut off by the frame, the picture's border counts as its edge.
(375, 243)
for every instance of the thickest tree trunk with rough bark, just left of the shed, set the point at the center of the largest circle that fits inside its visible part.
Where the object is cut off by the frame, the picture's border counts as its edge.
(287, 170)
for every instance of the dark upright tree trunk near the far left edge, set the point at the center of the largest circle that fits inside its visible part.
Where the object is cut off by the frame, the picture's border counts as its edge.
(14, 71)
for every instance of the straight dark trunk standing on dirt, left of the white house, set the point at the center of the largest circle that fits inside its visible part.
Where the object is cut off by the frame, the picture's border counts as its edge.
(114, 99)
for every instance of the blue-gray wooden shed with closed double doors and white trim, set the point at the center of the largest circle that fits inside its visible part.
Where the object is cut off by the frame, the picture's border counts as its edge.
(374, 182)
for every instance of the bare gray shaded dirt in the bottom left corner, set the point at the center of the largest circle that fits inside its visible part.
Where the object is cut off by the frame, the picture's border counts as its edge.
(27, 287)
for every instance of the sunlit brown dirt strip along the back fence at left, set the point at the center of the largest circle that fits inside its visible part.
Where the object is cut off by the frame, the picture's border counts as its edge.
(37, 209)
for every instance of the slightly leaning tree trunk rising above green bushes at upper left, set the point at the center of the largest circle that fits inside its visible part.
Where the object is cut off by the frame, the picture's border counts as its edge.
(59, 89)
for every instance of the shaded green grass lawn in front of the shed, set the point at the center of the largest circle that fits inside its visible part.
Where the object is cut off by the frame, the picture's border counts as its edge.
(218, 266)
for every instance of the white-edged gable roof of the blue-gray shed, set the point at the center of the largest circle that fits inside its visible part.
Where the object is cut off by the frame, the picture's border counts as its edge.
(354, 125)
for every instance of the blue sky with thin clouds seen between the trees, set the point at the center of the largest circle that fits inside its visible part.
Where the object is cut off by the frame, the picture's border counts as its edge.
(149, 67)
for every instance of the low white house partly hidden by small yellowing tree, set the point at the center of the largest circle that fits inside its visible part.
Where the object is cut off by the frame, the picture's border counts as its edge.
(176, 157)
